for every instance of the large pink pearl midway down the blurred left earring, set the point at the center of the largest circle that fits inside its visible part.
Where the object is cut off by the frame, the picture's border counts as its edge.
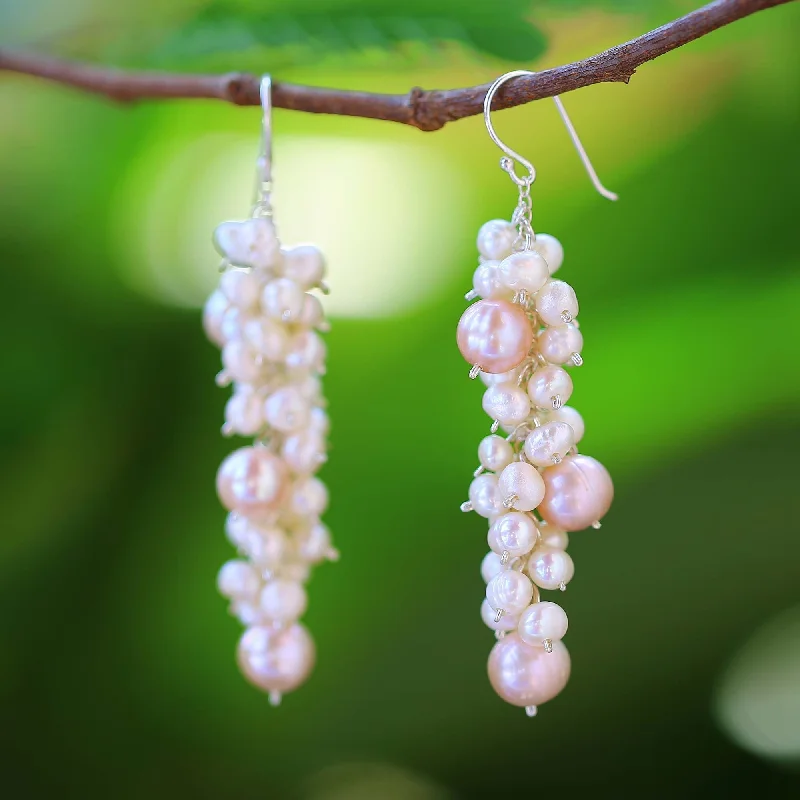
(252, 481)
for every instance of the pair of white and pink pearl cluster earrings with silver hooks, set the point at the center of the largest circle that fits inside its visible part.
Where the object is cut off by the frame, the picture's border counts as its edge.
(532, 485)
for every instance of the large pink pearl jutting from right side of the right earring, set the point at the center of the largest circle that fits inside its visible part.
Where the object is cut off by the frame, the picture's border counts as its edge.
(578, 492)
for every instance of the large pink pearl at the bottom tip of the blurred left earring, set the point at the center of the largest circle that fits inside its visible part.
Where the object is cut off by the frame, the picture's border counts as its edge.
(276, 660)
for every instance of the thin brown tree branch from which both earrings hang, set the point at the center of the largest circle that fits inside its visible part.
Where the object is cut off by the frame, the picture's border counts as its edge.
(426, 110)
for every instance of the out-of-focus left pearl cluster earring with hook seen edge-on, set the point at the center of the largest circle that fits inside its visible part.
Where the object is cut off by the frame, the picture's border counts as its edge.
(267, 323)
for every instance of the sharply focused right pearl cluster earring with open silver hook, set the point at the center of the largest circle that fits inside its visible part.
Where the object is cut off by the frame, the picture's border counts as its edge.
(532, 485)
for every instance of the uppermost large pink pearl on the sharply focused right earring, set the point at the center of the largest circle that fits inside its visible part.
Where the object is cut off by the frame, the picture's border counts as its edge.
(494, 334)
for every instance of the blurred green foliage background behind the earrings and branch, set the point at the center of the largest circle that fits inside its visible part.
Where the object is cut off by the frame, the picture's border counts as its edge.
(117, 676)
